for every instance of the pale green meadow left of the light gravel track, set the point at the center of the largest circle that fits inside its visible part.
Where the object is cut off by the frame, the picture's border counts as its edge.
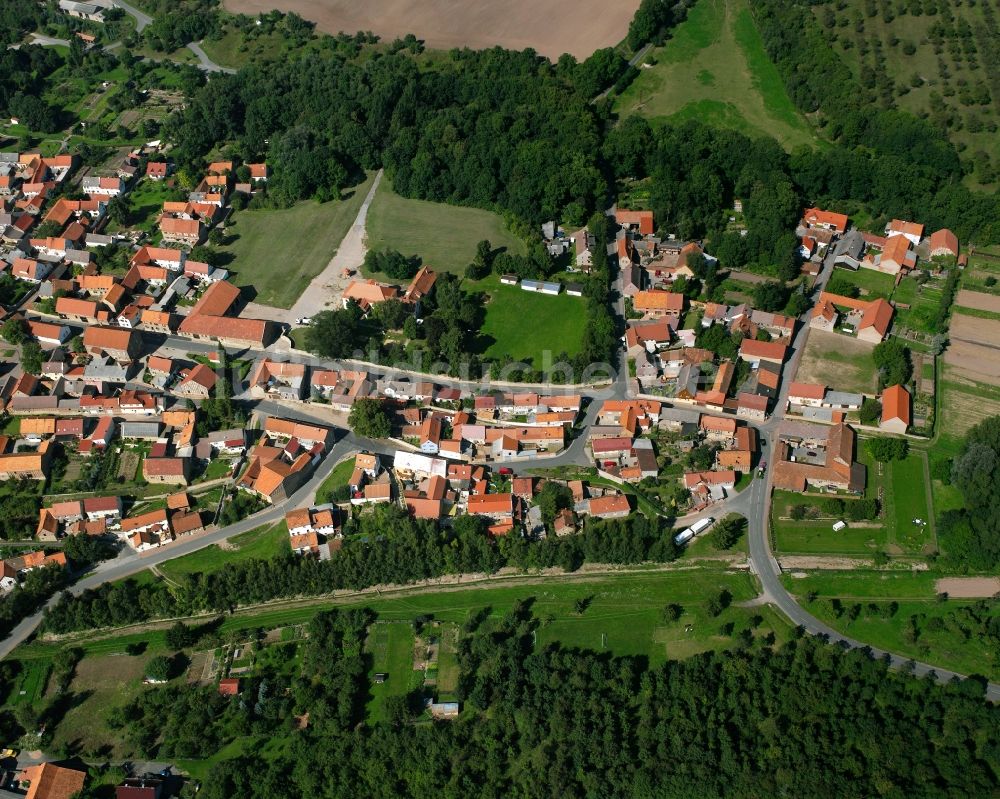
(278, 251)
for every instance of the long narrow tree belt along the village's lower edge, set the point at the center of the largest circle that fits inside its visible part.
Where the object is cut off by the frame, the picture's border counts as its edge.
(387, 546)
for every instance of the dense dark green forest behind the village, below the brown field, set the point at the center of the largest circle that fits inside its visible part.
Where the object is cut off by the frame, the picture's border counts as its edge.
(514, 132)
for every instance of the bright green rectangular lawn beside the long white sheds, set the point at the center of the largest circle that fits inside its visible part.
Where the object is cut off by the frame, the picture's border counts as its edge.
(525, 325)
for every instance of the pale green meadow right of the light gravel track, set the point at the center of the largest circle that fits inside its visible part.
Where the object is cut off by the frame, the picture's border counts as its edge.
(444, 236)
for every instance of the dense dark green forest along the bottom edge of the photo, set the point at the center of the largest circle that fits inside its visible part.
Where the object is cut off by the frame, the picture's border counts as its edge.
(808, 719)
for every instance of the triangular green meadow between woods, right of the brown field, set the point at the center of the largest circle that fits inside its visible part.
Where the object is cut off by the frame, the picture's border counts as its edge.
(715, 69)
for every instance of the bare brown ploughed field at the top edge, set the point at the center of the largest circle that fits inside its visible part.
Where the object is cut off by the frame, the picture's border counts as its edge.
(552, 27)
